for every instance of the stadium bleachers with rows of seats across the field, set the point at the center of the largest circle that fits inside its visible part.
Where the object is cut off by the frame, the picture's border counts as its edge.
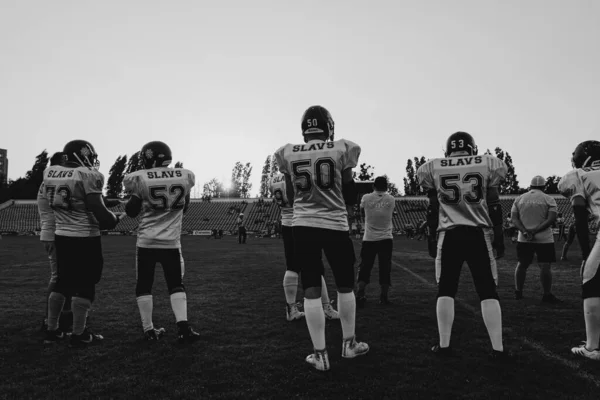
(21, 216)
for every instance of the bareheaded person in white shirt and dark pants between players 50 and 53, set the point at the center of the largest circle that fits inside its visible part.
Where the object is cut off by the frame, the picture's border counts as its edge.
(378, 208)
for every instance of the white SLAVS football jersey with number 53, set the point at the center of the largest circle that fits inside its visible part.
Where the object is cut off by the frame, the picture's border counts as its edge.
(462, 184)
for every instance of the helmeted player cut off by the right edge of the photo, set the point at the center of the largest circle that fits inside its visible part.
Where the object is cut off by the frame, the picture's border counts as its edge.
(582, 187)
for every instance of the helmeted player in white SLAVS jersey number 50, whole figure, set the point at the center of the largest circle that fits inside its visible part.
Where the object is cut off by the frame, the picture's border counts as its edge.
(319, 185)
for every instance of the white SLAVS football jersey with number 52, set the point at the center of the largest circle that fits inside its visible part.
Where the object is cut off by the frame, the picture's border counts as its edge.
(162, 191)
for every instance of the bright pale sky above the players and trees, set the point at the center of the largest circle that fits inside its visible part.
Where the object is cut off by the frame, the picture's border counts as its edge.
(226, 81)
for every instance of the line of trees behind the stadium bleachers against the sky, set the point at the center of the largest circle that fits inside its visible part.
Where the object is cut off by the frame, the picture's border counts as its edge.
(239, 185)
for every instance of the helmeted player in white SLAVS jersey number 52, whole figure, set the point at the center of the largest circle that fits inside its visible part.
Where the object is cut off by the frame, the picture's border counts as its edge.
(162, 195)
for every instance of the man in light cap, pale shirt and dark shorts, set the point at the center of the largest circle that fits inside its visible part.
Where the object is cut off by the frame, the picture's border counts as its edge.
(533, 213)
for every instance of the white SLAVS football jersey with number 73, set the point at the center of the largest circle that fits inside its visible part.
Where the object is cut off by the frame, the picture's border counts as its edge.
(66, 190)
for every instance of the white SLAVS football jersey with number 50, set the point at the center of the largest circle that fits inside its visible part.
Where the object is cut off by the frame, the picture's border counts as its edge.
(316, 170)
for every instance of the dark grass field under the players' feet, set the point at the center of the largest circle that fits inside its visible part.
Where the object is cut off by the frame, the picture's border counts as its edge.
(248, 350)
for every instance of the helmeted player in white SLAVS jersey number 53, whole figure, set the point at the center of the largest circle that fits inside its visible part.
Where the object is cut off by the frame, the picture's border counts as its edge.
(464, 207)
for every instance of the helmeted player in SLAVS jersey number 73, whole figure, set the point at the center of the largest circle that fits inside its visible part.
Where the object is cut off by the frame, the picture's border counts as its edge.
(74, 191)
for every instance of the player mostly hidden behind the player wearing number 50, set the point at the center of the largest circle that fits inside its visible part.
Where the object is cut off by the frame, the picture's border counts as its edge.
(290, 279)
